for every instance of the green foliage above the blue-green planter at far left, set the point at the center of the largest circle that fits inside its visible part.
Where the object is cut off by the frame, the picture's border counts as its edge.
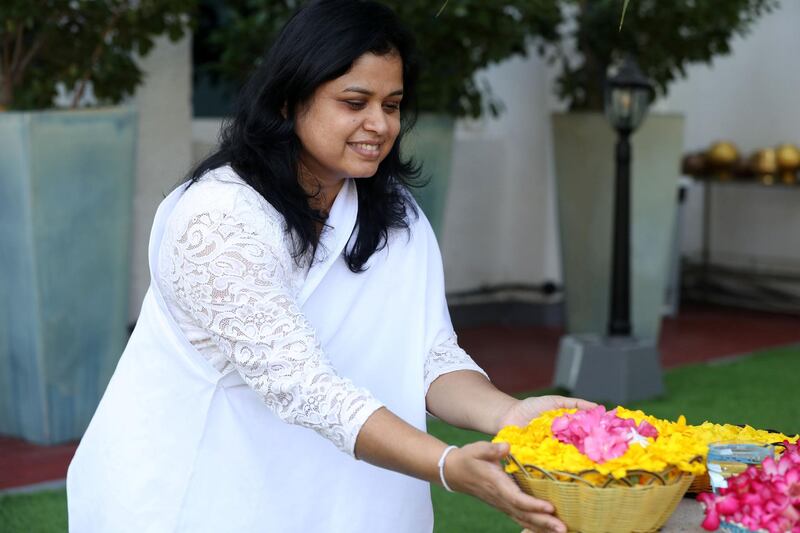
(43, 42)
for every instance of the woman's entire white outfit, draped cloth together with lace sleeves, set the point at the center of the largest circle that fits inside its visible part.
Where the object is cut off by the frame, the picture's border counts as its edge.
(183, 443)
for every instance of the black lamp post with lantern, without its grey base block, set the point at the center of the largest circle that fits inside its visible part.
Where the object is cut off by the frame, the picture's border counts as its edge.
(627, 96)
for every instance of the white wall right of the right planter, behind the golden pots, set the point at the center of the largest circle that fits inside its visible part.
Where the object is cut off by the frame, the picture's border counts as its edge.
(752, 98)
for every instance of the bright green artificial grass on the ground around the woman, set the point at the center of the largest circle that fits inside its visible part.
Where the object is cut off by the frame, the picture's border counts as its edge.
(757, 390)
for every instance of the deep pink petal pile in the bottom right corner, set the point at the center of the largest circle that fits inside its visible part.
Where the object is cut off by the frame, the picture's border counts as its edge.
(765, 499)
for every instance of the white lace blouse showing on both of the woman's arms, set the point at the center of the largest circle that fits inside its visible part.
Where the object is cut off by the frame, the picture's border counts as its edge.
(229, 279)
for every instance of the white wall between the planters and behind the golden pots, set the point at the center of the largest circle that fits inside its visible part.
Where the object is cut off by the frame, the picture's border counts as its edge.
(500, 225)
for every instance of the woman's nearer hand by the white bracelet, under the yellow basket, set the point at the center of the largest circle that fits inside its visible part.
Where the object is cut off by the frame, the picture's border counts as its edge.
(475, 469)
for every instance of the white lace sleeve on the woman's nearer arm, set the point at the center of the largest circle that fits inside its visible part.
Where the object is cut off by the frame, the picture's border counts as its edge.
(230, 276)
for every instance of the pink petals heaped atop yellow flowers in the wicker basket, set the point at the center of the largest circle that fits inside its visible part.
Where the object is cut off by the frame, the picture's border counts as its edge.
(599, 434)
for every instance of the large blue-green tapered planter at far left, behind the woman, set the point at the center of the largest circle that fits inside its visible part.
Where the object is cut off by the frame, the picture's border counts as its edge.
(66, 187)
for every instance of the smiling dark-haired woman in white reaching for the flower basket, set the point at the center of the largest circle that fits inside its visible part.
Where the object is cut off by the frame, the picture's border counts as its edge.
(296, 286)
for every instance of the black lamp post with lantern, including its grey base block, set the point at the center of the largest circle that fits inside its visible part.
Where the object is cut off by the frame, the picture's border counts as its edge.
(616, 367)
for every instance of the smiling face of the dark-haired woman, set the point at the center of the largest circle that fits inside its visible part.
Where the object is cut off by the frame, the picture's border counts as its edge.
(351, 122)
